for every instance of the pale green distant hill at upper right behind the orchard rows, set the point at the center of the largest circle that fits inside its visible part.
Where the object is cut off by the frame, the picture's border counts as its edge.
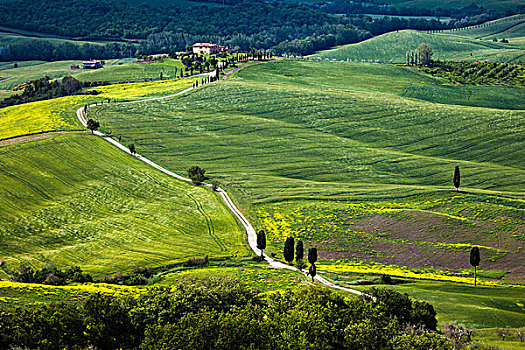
(394, 45)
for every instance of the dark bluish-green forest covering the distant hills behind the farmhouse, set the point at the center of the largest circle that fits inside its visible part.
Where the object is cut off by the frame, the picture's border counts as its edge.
(284, 27)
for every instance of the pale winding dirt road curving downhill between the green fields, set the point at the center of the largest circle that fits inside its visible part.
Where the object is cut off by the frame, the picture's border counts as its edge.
(252, 236)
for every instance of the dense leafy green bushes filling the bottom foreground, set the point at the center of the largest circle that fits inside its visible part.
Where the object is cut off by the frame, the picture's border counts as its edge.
(224, 314)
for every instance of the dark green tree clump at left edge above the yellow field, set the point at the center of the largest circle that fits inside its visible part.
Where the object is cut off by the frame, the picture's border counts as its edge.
(43, 89)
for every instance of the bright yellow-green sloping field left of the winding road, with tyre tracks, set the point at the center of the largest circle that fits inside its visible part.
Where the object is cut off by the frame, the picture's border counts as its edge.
(76, 200)
